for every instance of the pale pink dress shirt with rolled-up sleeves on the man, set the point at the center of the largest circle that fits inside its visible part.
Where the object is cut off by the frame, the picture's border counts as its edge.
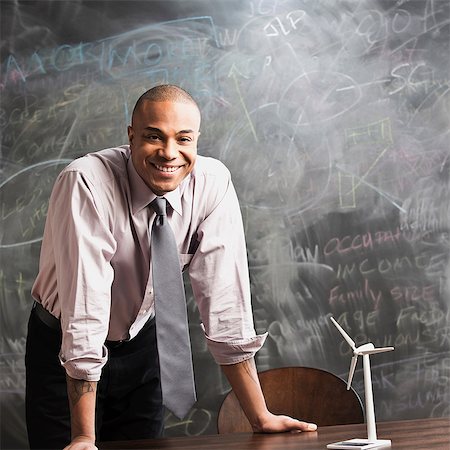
(94, 271)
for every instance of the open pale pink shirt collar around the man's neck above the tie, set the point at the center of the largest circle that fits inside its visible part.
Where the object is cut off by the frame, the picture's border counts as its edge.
(142, 195)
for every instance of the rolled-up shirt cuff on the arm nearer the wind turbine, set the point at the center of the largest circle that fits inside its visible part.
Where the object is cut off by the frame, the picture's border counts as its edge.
(234, 351)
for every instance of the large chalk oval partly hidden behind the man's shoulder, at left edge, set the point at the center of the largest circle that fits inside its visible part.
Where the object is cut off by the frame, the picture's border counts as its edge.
(24, 199)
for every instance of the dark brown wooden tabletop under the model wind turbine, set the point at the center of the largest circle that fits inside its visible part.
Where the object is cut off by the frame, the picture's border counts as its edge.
(421, 434)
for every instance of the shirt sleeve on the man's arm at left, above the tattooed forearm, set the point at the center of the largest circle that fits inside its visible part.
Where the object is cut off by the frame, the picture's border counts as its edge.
(83, 247)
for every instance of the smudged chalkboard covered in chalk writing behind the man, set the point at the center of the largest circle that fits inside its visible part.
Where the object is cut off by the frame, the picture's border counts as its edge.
(333, 118)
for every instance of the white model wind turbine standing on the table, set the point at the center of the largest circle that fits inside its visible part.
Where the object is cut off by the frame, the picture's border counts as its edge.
(365, 350)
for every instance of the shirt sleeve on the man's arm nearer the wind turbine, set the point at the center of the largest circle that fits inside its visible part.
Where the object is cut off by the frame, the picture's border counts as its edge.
(220, 278)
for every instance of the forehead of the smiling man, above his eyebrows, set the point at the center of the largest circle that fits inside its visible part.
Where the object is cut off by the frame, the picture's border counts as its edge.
(182, 115)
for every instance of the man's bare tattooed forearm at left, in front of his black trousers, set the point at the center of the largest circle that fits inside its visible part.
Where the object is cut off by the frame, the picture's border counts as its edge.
(82, 399)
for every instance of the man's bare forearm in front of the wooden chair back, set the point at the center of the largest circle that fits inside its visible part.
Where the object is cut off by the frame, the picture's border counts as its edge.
(244, 381)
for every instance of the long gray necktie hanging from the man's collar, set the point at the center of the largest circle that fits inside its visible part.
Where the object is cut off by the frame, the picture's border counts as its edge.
(174, 347)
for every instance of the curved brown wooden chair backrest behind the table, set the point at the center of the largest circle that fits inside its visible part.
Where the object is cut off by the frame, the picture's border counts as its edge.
(305, 393)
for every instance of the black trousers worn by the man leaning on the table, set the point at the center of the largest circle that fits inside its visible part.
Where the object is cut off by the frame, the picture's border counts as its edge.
(129, 399)
